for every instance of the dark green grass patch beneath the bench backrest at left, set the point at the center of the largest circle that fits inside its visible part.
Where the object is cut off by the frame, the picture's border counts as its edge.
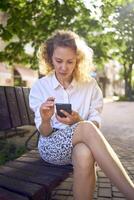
(10, 151)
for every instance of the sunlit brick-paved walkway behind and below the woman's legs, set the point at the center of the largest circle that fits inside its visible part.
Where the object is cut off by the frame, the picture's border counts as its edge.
(118, 128)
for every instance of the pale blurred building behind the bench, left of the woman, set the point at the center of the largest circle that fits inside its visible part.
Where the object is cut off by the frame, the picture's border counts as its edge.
(15, 75)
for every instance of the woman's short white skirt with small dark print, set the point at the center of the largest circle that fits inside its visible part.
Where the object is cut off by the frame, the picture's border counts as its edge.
(57, 148)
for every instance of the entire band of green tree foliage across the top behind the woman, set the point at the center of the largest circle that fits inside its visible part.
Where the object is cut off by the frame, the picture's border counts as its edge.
(32, 21)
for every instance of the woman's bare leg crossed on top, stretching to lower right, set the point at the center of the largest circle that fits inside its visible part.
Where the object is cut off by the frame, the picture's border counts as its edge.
(106, 158)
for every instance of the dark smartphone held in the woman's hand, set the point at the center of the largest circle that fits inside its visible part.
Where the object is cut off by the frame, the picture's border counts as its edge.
(63, 106)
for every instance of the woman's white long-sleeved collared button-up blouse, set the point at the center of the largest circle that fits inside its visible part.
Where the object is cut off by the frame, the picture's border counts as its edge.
(86, 98)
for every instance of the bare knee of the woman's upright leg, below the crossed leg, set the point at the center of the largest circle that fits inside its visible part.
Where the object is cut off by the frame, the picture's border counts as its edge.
(82, 158)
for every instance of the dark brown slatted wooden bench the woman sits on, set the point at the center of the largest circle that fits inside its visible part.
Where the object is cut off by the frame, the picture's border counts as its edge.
(28, 177)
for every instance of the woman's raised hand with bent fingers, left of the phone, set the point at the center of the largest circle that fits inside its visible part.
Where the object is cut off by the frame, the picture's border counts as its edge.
(47, 109)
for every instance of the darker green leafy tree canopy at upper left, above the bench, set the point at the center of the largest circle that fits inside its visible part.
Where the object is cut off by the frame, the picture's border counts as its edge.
(31, 22)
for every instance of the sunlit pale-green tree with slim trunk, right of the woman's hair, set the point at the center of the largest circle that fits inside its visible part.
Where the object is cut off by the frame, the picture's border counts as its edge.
(116, 41)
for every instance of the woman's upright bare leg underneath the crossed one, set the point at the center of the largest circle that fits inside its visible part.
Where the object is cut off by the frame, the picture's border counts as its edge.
(84, 172)
